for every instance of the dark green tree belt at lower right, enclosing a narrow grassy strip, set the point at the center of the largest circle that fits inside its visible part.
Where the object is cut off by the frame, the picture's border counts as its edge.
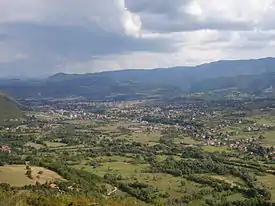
(210, 163)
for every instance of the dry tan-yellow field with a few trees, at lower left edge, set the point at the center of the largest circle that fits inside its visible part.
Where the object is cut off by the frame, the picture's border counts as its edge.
(15, 175)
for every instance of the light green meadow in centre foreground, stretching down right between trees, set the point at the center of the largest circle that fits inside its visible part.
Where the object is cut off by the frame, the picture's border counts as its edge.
(174, 186)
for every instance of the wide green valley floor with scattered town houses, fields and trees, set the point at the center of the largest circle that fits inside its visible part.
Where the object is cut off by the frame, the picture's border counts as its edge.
(210, 146)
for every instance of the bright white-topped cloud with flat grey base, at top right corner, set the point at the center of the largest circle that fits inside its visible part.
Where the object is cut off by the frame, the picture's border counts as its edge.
(178, 15)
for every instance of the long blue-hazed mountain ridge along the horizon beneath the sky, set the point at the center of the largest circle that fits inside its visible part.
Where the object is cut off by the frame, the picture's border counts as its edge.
(142, 84)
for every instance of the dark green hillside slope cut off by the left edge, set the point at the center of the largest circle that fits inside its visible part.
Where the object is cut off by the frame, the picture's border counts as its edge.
(8, 108)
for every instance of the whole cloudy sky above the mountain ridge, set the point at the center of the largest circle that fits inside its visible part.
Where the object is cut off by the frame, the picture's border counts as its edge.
(43, 37)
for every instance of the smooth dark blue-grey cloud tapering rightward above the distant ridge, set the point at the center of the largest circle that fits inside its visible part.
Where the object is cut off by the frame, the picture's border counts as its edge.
(80, 42)
